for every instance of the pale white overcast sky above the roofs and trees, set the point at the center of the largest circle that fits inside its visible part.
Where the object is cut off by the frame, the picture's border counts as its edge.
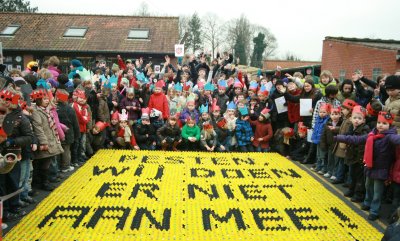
(299, 26)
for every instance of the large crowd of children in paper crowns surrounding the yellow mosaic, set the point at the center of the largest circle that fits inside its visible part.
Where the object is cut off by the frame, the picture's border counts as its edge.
(53, 122)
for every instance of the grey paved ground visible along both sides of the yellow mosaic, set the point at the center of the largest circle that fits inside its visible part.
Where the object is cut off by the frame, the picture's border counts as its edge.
(336, 189)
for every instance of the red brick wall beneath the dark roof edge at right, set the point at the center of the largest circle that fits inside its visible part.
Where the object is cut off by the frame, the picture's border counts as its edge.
(338, 56)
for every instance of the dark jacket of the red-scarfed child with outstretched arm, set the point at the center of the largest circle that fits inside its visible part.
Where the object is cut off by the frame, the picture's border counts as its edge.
(384, 153)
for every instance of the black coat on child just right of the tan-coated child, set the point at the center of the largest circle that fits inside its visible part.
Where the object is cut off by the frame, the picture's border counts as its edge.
(67, 116)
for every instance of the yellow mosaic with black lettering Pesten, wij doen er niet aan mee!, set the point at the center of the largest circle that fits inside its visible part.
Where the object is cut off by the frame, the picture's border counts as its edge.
(153, 195)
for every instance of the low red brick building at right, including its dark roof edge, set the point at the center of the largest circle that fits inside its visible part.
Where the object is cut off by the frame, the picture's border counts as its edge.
(373, 56)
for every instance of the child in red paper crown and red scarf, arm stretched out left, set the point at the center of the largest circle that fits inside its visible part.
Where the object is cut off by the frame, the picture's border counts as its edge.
(378, 159)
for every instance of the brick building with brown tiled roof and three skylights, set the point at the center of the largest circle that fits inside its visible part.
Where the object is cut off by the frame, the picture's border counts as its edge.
(37, 36)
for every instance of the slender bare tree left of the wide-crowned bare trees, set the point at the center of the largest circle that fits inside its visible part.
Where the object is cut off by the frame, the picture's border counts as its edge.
(212, 32)
